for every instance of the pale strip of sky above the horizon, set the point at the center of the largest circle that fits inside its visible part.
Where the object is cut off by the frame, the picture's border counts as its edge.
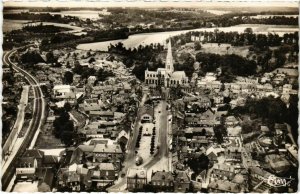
(151, 3)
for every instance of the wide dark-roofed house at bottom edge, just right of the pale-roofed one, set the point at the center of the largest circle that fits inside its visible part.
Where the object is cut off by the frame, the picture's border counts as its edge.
(162, 181)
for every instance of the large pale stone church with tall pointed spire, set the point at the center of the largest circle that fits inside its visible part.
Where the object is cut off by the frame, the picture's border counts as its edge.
(166, 77)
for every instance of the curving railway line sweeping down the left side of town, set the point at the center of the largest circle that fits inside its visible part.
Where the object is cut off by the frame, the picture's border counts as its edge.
(8, 169)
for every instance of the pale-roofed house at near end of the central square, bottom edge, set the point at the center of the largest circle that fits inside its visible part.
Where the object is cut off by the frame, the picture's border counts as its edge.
(136, 179)
